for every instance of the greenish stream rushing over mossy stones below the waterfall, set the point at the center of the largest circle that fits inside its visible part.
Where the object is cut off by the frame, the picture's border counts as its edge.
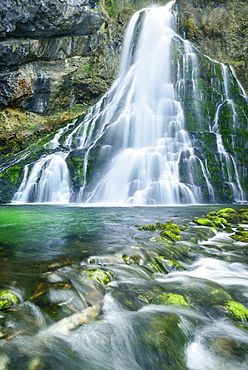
(97, 292)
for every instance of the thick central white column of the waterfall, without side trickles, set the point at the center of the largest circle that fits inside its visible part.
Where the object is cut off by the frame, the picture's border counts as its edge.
(151, 122)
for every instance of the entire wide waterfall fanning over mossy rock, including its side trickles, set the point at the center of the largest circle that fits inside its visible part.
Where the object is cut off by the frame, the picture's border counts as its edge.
(139, 143)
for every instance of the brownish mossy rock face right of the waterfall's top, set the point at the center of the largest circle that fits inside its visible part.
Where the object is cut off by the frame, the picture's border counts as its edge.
(219, 29)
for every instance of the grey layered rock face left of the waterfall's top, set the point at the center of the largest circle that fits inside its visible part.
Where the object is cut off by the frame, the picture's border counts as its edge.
(49, 51)
